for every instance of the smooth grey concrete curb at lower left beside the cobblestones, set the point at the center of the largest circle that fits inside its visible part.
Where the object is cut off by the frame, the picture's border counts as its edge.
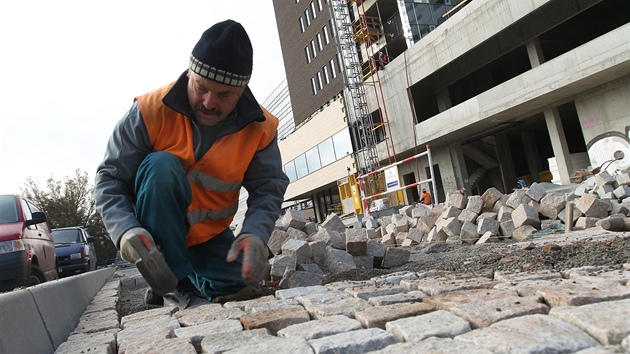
(38, 319)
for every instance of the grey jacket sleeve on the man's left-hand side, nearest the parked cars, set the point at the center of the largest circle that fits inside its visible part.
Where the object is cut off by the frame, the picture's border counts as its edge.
(114, 194)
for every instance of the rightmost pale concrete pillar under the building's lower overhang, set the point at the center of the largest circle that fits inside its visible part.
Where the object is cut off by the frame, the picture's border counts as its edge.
(559, 144)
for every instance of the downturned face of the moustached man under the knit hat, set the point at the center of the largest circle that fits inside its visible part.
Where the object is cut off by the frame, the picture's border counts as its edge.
(211, 101)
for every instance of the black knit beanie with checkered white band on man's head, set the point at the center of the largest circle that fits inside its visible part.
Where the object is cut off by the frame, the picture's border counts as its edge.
(223, 54)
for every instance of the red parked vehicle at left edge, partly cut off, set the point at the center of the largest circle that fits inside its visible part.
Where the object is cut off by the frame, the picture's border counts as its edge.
(27, 251)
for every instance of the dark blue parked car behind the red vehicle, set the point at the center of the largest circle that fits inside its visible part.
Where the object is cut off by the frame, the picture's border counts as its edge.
(75, 250)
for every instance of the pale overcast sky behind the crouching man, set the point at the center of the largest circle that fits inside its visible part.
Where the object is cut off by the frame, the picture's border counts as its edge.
(69, 70)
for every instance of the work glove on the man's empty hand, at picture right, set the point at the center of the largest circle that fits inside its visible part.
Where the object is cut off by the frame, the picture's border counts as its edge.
(255, 265)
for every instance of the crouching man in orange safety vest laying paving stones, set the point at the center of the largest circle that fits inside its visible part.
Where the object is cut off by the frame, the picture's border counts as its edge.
(174, 167)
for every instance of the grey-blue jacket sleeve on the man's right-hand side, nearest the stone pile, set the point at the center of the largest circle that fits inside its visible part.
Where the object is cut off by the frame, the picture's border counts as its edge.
(265, 182)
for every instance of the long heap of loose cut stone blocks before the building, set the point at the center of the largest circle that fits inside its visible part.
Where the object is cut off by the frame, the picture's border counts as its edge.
(304, 252)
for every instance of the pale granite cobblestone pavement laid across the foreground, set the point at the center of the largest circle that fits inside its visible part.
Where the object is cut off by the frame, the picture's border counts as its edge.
(581, 310)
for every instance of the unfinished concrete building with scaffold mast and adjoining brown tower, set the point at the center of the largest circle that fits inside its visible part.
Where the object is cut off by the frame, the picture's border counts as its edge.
(501, 92)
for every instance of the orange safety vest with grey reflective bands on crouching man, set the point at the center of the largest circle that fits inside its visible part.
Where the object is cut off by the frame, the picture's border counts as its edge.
(216, 178)
